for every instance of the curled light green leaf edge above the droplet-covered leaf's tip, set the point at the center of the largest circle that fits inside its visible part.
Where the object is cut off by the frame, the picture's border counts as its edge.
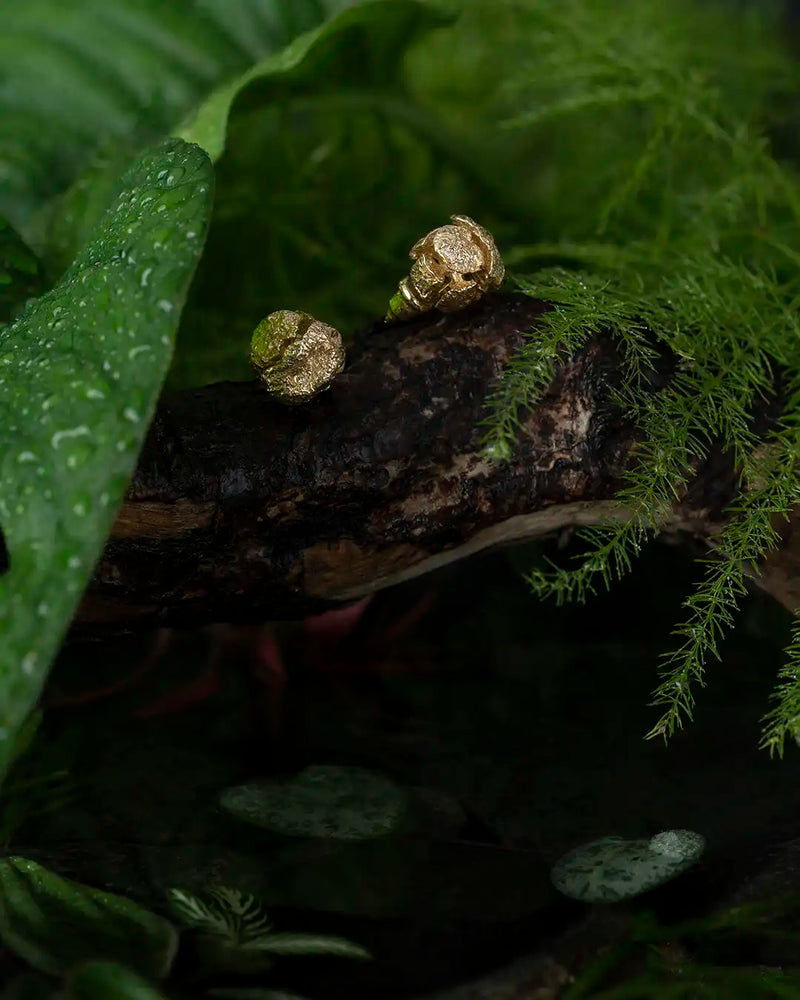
(386, 27)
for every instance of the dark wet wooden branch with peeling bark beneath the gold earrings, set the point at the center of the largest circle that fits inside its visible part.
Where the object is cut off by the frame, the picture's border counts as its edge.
(245, 510)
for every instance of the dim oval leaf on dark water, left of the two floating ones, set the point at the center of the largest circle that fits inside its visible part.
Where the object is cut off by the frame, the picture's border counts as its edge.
(344, 803)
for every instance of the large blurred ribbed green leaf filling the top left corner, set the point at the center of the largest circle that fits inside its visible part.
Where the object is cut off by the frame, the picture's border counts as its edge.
(79, 73)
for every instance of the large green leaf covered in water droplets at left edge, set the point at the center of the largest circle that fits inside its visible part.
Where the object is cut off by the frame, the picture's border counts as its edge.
(80, 372)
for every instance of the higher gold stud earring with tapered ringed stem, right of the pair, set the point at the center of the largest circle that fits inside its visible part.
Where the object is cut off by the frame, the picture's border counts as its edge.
(454, 266)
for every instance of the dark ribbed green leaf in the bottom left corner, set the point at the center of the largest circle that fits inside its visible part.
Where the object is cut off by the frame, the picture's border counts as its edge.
(56, 924)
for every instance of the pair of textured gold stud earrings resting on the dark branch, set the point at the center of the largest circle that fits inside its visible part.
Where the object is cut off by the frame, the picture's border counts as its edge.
(297, 356)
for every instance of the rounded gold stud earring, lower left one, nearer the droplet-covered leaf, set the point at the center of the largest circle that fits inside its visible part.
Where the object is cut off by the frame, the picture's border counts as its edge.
(296, 356)
